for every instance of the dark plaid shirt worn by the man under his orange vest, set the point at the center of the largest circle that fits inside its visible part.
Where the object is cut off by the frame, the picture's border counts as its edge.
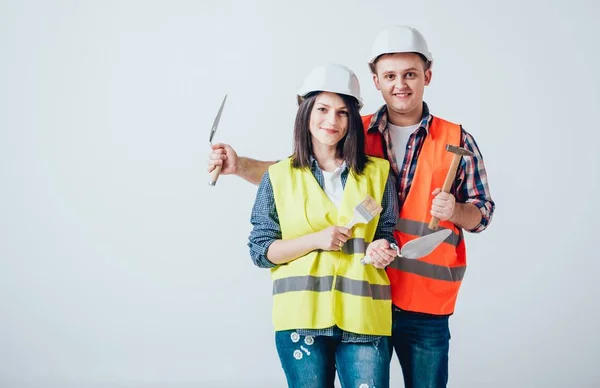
(470, 185)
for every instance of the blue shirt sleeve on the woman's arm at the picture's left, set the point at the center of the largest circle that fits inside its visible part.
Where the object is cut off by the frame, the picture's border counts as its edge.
(265, 221)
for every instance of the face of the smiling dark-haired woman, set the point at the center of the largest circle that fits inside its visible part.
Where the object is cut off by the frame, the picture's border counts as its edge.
(328, 119)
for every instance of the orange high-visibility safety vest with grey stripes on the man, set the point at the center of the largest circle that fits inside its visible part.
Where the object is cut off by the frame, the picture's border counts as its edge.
(430, 284)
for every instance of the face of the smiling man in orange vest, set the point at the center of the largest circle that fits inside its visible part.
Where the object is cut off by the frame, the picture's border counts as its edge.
(401, 78)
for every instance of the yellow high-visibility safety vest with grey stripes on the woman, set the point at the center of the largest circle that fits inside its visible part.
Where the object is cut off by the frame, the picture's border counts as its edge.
(327, 288)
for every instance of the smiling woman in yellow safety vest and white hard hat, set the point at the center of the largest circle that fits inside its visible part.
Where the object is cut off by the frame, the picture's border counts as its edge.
(329, 310)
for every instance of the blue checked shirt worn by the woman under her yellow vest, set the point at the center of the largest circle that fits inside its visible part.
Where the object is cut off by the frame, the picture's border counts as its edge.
(267, 229)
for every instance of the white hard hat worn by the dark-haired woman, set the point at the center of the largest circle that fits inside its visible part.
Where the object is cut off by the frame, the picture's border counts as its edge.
(333, 78)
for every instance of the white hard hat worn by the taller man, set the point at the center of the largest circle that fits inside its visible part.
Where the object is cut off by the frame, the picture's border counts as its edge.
(399, 39)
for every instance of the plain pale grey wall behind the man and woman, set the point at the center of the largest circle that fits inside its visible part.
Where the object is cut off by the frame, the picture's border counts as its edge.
(120, 267)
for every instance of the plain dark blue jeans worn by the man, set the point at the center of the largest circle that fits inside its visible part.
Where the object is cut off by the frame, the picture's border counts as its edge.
(422, 343)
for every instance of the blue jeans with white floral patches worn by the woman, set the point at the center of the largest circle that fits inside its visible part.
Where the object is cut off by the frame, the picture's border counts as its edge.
(311, 362)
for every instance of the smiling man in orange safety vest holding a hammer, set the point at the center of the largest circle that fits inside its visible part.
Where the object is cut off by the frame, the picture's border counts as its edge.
(424, 291)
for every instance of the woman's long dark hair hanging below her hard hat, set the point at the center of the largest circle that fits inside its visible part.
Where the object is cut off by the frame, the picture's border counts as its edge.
(351, 148)
